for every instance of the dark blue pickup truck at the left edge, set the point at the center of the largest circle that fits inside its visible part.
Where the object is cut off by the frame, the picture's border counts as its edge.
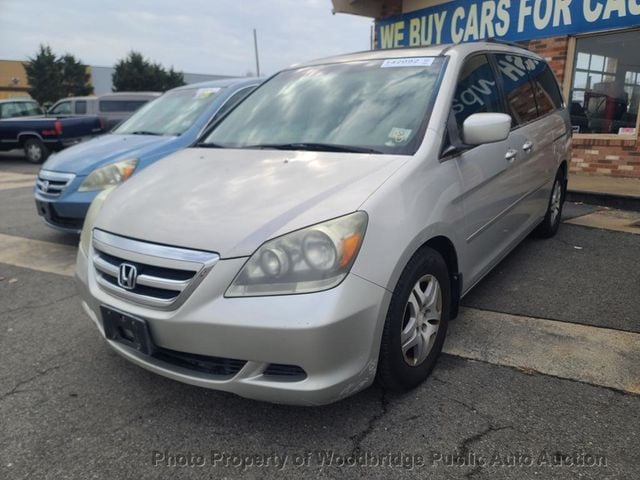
(23, 125)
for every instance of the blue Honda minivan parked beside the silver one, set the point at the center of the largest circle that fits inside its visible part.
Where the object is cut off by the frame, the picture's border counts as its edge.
(68, 182)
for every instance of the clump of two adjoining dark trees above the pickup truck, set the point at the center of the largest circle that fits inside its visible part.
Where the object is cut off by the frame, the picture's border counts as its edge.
(52, 78)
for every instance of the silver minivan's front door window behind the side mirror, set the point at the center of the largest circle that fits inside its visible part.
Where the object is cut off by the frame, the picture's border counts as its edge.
(477, 90)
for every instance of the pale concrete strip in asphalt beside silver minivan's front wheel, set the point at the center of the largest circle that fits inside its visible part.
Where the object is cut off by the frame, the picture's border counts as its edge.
(594, 355)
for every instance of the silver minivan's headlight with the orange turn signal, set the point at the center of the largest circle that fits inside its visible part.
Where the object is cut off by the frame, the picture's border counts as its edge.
(309, 260)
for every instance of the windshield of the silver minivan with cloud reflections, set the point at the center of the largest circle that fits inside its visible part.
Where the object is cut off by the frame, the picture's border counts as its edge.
(378, 106)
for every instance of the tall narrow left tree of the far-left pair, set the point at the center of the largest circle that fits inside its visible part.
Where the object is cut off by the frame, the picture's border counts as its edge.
(44, 75)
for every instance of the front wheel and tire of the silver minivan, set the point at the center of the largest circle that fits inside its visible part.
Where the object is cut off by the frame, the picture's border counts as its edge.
(416, 323)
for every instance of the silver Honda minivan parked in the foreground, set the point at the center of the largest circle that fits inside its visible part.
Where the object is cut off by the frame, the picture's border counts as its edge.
(323, 233)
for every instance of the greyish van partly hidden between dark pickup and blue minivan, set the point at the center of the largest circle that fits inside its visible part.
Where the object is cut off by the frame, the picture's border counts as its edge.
(112, 108)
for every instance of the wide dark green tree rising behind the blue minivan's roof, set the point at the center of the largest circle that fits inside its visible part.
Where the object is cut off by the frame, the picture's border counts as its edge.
(134, 73)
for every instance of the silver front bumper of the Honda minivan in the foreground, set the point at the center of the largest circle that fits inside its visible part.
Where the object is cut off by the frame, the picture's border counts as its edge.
(334, 336)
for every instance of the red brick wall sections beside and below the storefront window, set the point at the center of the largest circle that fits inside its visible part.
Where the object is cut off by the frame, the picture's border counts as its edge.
(592, 156)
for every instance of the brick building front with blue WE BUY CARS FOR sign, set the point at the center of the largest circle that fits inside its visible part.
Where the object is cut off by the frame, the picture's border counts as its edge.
(593, 46)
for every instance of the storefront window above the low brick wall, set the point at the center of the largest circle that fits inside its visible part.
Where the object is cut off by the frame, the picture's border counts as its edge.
(605, 89)
